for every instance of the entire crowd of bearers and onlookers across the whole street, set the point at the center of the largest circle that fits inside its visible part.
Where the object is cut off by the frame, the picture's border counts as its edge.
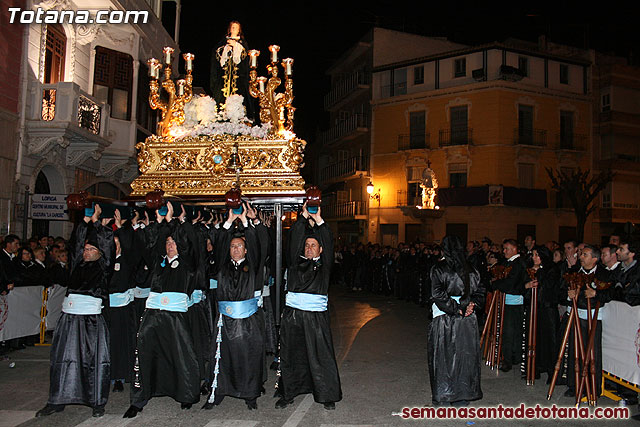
(200, 290)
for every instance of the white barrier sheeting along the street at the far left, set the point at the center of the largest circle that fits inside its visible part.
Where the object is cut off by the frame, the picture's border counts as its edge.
(20, 311)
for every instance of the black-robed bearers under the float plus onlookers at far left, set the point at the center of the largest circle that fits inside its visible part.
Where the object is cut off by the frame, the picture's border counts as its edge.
(182, 307)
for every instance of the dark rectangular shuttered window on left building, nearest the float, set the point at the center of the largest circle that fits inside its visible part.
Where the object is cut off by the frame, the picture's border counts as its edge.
(113, 81)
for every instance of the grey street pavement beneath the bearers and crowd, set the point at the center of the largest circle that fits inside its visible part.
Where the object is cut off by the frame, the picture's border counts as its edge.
(381, 348)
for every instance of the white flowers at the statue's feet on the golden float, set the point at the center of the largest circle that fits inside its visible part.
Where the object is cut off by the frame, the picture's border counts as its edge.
(203, 118)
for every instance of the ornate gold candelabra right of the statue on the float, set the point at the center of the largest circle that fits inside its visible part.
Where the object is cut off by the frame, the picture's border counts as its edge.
(272, 104)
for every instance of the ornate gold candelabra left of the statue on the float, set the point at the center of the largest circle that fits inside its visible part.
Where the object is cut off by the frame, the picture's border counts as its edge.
(179, 92)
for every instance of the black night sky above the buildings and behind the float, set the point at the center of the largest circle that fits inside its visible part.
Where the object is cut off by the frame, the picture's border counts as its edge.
(316, 33)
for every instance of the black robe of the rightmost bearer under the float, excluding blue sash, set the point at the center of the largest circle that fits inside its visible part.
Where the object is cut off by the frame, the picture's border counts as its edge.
(307, 358)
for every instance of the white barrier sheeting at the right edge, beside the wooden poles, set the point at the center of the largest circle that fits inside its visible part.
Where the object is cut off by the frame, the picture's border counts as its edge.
(621, 341)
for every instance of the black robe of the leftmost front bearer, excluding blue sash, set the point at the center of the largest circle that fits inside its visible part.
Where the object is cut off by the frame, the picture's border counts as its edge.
(80, 360)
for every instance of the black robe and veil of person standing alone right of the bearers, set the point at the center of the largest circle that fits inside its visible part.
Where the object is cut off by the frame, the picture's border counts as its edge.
(454, 341)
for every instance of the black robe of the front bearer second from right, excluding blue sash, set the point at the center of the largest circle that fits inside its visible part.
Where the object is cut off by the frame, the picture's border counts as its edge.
(241, 370)
